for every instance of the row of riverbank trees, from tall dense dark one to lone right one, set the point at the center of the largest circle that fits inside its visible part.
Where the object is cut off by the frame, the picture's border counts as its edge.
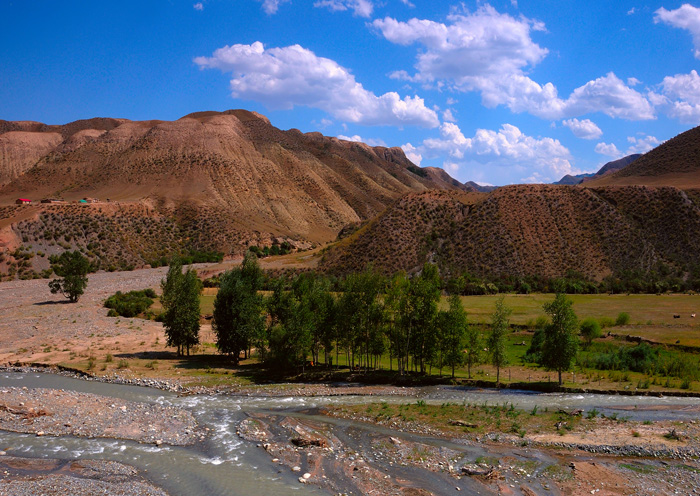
(370, 317)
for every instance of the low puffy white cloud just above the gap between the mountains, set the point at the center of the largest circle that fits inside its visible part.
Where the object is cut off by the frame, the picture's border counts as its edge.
(507, 147)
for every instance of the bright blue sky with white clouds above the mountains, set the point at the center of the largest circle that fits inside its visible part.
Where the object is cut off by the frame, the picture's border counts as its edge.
(497, 92)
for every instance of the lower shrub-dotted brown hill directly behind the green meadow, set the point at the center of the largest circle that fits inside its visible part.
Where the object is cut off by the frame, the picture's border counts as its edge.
(541, 230)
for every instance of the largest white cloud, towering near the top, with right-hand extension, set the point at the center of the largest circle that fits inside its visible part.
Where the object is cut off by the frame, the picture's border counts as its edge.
(490, 52)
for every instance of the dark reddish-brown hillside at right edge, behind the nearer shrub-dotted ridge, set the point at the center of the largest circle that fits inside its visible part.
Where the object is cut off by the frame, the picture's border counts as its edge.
(673, 163)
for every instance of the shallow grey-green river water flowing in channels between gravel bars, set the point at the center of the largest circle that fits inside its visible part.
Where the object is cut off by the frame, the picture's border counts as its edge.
(226, 465)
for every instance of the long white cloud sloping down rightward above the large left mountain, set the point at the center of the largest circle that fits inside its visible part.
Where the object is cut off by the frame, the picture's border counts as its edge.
(294, 76)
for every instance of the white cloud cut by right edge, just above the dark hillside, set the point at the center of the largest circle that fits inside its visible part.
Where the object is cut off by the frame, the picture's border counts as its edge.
(680, 97)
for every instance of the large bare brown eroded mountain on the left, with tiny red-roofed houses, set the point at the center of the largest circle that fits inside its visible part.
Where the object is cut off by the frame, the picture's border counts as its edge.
(210, 181)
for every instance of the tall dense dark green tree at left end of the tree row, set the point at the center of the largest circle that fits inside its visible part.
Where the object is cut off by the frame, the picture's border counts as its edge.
(238, 319)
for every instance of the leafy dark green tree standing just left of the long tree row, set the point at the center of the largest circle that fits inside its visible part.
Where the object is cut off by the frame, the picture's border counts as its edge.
(180, 302)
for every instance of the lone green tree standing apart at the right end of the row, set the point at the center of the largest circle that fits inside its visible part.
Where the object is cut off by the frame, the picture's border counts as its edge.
(560, 340)
